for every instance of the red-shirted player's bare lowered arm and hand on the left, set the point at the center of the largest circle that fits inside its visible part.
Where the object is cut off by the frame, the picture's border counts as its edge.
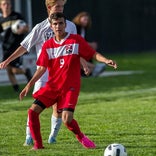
(39, 72)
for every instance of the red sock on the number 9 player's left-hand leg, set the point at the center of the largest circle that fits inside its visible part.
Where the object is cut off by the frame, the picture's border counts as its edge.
(34, 125)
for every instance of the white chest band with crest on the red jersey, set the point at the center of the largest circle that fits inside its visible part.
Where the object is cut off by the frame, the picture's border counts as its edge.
(65, 50)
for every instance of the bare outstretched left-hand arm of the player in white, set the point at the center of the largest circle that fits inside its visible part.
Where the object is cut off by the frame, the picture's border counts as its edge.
(18, 52)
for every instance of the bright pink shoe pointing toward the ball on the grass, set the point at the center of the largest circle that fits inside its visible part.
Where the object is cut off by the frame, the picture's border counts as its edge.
(86, 142)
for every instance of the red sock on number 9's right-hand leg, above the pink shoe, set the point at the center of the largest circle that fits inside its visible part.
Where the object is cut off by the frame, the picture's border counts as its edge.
(74, 127)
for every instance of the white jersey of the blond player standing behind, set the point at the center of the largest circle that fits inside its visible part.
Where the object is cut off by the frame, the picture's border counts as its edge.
(39, 34)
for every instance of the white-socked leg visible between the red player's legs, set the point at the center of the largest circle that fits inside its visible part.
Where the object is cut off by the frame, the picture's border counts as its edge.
(56, 121)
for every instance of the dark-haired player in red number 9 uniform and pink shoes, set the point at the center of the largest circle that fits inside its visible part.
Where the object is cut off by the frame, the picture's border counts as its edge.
(61, 56)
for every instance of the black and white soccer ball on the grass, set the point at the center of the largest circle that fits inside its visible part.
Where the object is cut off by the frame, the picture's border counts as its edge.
(115, 149)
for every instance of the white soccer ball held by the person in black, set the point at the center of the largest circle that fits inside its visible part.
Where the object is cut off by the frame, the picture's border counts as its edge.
(18, 24)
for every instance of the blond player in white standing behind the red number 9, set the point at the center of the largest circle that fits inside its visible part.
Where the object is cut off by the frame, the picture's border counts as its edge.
(39, 34)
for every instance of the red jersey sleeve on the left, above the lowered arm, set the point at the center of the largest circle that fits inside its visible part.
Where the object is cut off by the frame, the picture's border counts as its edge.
(43, 58)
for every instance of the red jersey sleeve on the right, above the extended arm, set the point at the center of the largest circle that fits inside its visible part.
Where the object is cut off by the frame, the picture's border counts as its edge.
(85, 50)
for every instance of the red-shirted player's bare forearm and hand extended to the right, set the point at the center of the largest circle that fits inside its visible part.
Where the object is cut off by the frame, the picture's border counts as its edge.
(97, 56)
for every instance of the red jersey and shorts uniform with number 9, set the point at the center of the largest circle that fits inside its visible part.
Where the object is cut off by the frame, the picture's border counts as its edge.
(63, 62)
